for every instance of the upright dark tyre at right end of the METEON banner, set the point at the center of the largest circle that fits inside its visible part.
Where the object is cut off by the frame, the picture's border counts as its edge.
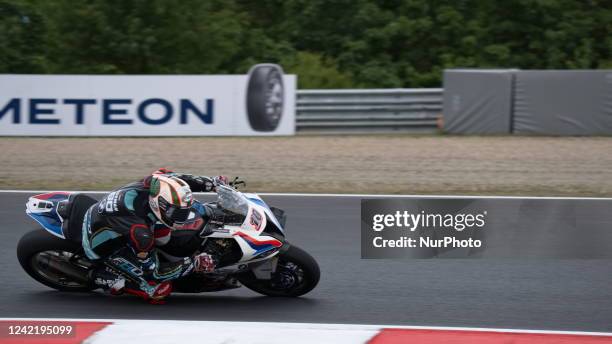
(265, 97)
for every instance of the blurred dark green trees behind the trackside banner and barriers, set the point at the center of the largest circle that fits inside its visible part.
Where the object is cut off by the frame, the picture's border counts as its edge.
(328, 43)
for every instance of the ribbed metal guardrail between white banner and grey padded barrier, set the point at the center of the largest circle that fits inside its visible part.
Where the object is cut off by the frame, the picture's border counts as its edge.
(368, 111)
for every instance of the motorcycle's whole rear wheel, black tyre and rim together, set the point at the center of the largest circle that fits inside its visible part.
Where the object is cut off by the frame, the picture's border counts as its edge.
(52, 262)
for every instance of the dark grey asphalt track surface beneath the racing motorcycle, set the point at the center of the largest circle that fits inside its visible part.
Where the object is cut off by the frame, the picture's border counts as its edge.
(499, 293)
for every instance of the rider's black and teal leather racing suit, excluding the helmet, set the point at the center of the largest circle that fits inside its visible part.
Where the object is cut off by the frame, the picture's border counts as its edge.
(121, 228)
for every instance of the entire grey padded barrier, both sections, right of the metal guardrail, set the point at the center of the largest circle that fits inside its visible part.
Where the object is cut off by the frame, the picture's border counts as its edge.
(528, 102)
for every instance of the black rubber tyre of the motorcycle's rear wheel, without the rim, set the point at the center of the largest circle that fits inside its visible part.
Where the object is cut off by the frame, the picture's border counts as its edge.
(38, 242)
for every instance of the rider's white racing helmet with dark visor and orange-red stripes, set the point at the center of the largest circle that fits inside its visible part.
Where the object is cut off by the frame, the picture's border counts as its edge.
(170, 198)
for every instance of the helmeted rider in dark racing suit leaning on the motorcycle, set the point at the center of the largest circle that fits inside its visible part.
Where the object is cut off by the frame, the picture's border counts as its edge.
(122, 227)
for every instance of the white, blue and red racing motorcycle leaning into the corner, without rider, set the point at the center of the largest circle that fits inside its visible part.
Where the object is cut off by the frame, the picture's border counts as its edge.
(249, 243)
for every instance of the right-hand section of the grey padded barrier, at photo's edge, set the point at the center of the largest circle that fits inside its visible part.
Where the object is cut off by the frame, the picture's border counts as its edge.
(563, 102)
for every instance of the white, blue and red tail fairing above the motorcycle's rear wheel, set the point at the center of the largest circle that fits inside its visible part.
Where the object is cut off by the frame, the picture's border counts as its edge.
(43, 209)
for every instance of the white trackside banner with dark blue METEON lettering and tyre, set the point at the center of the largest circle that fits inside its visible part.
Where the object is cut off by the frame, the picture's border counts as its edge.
(147, 105)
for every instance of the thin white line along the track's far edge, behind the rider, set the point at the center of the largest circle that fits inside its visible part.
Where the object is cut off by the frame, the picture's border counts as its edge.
(352, 195)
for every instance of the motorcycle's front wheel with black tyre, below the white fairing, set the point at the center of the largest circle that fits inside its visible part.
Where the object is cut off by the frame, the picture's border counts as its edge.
(296, 274)
